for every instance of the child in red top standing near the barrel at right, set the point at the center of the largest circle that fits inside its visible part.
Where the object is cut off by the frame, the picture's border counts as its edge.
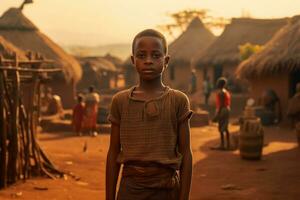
(223, 101)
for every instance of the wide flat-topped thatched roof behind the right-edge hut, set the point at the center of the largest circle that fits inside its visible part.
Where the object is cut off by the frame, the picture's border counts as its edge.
(225, 49)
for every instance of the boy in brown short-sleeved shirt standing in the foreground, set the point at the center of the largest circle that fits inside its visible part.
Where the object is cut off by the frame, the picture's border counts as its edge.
(150, 132)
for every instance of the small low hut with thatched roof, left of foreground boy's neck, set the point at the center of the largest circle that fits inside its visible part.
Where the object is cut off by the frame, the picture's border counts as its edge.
(99, 72)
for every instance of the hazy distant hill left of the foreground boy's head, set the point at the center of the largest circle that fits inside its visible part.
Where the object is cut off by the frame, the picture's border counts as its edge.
(120, 50)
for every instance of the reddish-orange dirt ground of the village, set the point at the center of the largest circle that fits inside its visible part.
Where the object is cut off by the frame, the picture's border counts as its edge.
(217, 174)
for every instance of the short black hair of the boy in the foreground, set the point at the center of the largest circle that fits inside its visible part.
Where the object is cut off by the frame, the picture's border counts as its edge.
(151, 33)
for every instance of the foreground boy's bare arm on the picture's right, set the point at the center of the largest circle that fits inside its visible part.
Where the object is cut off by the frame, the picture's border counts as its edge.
(187, 160)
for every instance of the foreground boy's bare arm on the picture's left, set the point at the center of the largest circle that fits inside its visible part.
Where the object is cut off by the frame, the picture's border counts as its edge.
(112, 167)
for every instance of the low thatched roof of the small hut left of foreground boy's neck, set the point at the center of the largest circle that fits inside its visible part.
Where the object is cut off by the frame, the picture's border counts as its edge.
(97, 64)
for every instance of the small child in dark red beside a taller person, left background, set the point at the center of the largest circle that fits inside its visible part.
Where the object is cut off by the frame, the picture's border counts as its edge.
(78, 113)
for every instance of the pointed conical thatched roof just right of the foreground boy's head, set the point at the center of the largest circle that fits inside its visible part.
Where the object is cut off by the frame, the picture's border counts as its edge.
(191, 42)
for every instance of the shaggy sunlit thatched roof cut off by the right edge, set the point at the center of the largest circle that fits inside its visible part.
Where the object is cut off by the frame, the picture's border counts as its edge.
(281, 53)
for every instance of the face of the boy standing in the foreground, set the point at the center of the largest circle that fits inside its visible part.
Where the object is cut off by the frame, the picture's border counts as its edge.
(149, 57)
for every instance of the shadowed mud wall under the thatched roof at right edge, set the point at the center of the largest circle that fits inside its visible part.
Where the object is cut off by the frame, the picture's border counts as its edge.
(279, 83)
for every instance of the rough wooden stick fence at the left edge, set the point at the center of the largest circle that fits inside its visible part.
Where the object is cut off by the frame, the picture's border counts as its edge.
(21, 157)
